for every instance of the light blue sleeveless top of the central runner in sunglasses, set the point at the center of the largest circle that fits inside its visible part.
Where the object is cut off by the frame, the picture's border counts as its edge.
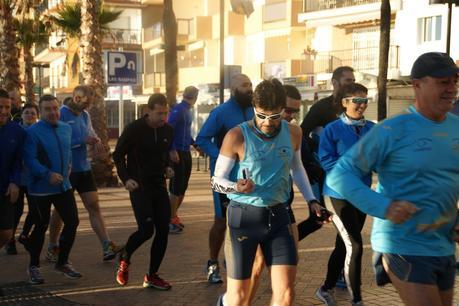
(268, 163)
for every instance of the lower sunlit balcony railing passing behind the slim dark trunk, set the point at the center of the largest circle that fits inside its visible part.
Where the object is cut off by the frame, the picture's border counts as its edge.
(361, 59)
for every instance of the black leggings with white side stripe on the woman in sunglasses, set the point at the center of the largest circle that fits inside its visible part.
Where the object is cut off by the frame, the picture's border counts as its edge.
(349, 222)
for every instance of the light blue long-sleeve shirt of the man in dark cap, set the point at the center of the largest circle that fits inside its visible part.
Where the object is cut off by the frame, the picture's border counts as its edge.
(417, 160)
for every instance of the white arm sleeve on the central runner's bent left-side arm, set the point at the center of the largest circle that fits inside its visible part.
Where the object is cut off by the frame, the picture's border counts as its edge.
(220, 181)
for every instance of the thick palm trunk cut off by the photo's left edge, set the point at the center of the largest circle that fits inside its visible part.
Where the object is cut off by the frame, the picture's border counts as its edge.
(9, 53)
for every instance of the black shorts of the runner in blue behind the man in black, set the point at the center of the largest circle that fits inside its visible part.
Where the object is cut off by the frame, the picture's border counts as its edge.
(182, 171)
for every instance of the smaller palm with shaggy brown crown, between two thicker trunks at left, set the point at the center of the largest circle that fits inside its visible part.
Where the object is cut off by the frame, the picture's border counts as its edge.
(29, 33)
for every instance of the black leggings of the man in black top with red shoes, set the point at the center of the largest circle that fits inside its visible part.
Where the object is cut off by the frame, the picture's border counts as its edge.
(152, 212)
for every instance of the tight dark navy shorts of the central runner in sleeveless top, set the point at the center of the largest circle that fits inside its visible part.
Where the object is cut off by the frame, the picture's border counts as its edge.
(249, 226)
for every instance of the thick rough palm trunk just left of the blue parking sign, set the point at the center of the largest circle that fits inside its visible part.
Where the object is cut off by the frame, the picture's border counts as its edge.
(93, 75)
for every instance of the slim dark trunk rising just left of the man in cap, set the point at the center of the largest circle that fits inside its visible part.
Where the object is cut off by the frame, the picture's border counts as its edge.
(384, 42)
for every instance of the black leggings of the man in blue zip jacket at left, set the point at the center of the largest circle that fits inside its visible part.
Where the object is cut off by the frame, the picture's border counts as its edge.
(40, 207)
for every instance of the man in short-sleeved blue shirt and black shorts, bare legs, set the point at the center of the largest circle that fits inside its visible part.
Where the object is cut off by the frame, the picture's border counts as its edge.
(82, 180)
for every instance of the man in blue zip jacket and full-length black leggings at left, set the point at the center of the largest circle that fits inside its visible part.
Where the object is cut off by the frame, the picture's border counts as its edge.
(47, 156)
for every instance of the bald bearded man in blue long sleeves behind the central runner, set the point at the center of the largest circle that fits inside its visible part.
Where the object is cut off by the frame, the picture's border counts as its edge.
(221, 119)
